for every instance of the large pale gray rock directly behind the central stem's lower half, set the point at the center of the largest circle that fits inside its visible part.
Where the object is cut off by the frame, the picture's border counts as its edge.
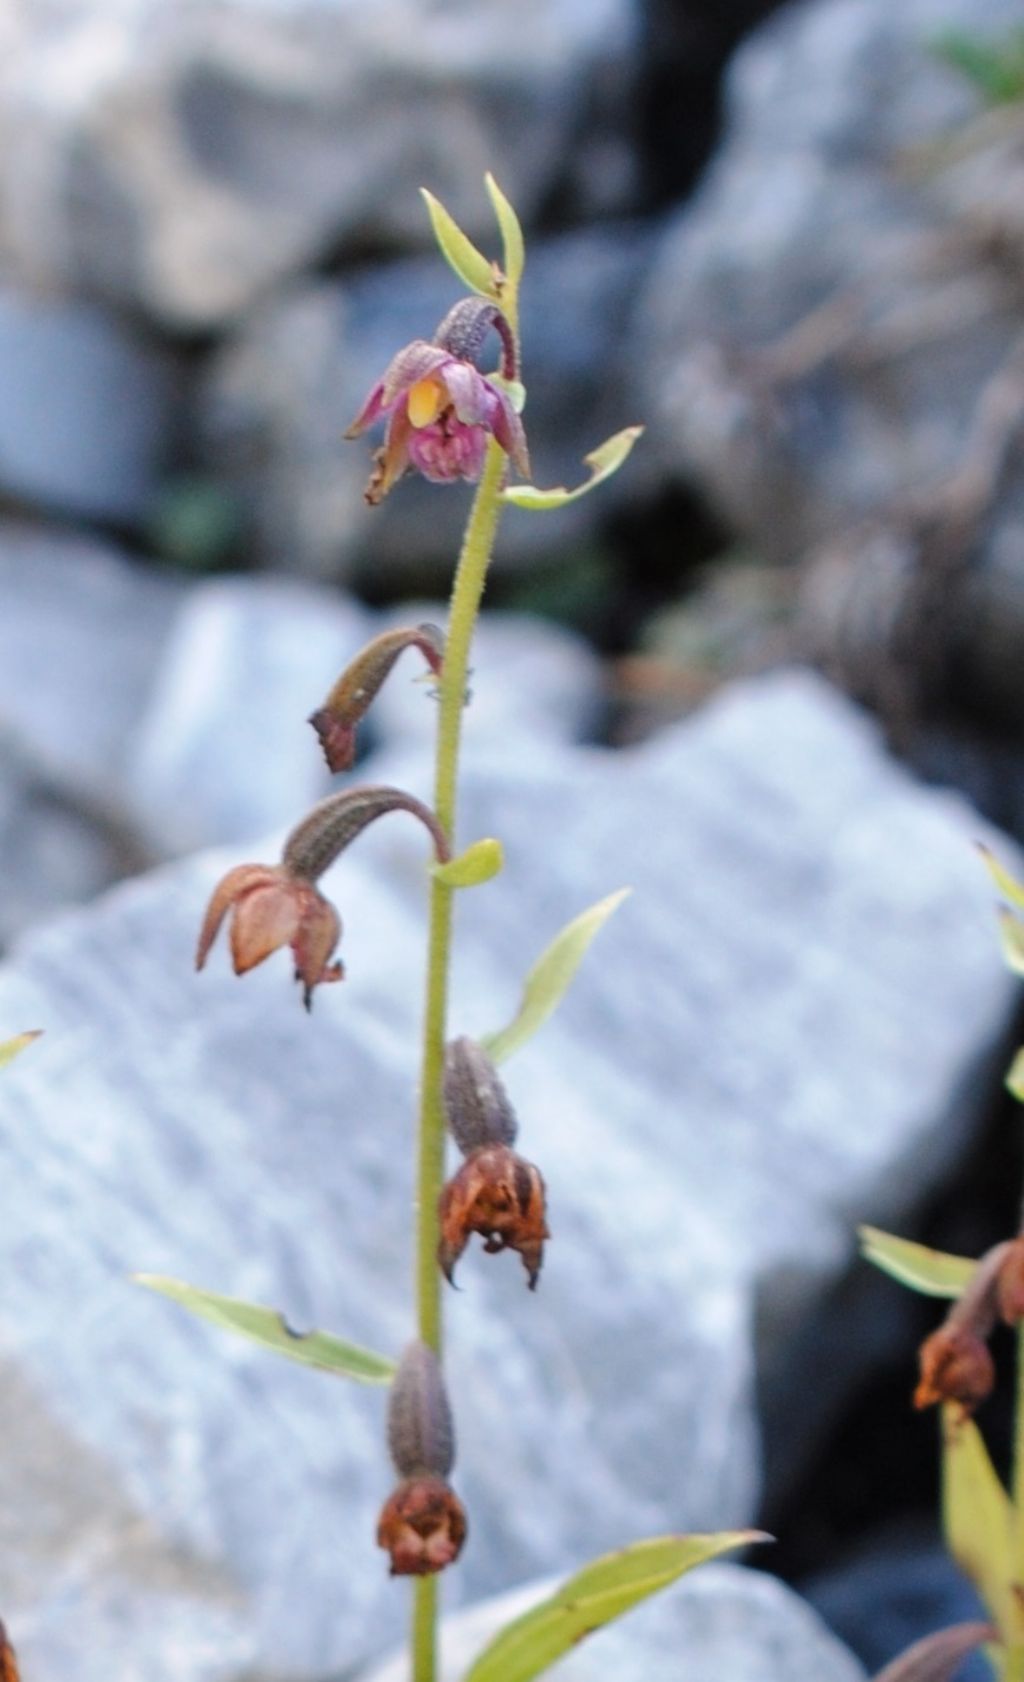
(776, 1037)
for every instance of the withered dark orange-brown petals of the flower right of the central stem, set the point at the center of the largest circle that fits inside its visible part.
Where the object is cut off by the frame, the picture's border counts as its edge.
(502, 1198)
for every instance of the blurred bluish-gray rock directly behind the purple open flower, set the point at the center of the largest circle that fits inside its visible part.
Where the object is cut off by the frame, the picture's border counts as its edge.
(285, 388)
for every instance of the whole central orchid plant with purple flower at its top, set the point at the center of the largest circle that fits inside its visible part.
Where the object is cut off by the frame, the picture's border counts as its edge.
(450, 421)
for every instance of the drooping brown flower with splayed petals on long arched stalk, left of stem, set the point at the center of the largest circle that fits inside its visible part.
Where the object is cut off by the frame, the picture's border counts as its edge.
(277, 906)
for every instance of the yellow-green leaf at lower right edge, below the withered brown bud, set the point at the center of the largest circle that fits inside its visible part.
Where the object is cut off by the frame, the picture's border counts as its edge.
(979, 1520)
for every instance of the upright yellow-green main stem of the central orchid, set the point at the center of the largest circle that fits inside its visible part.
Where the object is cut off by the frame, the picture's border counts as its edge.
(463, 610)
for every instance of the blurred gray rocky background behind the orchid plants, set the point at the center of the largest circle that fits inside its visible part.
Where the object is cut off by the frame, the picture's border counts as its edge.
(789, 240)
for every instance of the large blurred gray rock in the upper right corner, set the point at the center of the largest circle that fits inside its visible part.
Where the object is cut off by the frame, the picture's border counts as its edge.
(826, 315)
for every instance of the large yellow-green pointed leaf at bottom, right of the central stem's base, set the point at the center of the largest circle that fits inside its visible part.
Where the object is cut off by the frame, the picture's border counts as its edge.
(591, 1599)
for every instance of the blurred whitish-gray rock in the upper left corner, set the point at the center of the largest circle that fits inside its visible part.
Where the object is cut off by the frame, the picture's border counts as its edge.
(182, 157)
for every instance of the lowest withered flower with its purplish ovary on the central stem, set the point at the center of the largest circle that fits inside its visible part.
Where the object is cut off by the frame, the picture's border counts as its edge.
(423, 1525)
